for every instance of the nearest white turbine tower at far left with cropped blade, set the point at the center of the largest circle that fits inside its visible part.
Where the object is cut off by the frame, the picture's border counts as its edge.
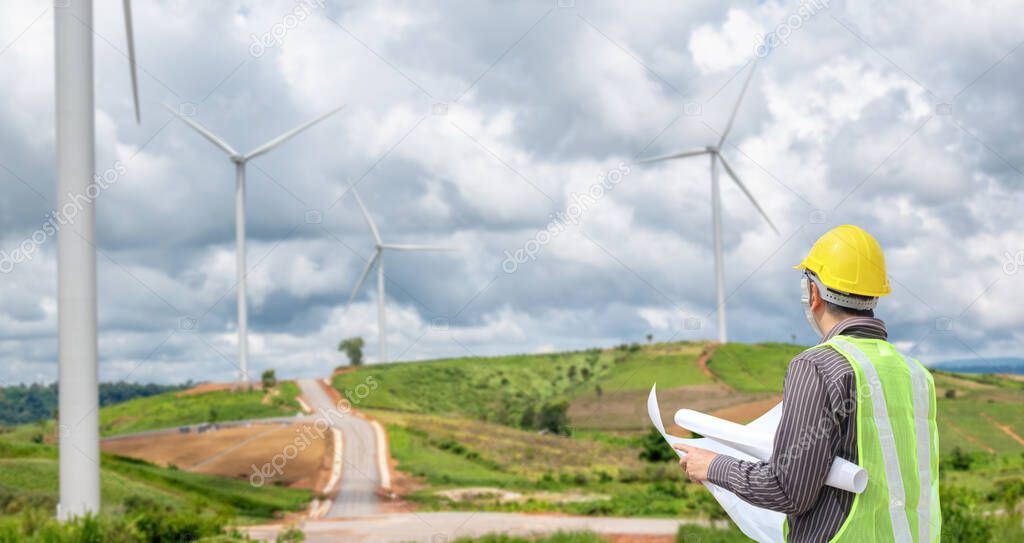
(77, 343)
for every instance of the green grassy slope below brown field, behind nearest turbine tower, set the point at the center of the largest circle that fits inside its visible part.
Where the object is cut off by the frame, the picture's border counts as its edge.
(29, 480)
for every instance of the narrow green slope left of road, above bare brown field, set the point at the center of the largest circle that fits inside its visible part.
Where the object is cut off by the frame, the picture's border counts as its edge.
(168, 410)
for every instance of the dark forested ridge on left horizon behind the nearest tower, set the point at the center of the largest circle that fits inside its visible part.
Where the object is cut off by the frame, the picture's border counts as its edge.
(29, 403)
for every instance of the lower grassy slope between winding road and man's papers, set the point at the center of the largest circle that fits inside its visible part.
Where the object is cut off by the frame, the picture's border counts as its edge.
(602, 478)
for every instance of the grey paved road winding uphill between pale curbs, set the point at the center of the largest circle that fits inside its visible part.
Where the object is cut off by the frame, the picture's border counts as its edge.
(360, 476)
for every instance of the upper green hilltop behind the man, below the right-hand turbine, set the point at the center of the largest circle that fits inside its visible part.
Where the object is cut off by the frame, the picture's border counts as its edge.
(608, 389)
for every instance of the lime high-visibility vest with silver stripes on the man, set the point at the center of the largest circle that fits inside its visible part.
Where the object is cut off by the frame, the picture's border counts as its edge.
(898, 444)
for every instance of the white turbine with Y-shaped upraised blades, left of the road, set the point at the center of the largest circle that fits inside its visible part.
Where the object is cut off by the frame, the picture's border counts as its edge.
(240, 161)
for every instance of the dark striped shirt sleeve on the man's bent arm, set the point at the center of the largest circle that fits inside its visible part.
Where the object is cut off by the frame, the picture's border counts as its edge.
(791, 480)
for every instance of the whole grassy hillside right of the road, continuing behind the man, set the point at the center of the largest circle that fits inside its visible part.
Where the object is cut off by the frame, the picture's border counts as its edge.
(454, 426)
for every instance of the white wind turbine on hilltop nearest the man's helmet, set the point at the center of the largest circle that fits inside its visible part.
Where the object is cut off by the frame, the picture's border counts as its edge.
(716, 202)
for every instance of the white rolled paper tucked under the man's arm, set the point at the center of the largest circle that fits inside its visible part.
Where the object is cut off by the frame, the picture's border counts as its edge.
(757, 441)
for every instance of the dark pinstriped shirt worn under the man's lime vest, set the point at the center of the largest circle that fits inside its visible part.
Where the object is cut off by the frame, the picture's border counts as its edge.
(819, 424)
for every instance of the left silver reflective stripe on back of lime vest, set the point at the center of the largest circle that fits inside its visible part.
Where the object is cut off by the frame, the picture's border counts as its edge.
(894, 480)
